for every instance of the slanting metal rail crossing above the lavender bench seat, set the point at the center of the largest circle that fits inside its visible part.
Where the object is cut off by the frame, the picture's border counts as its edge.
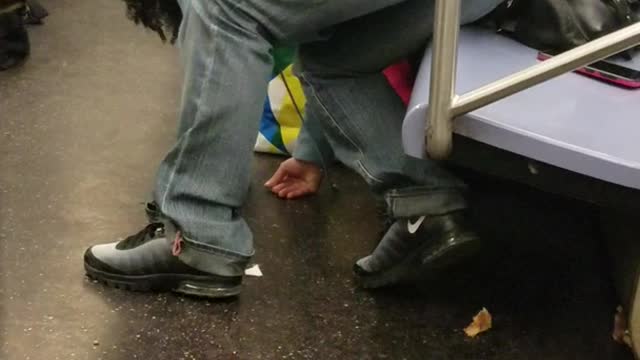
(558, 65)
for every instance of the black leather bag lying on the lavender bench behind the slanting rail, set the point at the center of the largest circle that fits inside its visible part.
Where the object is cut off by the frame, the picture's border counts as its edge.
(563, 24)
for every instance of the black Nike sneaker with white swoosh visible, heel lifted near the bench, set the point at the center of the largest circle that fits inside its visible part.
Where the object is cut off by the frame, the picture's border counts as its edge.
(412, 248)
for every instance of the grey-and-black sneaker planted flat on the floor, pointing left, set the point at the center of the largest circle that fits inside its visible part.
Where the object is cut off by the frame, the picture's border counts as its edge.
(148, 261)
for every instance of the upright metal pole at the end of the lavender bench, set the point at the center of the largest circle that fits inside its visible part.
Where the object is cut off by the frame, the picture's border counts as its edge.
(446, 23)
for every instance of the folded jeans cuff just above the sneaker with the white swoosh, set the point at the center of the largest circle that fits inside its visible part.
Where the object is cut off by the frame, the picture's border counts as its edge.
(418, 201)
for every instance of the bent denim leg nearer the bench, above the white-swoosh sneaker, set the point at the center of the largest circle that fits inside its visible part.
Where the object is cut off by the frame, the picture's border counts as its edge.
(362, 115)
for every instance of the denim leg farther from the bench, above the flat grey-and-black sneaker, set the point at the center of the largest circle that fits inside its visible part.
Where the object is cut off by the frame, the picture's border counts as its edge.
(203, 181)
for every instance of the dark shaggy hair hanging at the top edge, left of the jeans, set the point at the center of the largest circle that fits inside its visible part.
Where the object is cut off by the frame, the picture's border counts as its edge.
(161, 16)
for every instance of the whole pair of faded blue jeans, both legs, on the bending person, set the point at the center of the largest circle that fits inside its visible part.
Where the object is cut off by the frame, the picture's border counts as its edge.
(344, 44)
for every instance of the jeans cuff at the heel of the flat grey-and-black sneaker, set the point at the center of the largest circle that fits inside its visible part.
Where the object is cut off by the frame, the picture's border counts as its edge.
(205, 257)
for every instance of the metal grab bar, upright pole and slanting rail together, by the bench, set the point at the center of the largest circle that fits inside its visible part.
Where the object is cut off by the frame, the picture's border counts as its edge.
(445, 105)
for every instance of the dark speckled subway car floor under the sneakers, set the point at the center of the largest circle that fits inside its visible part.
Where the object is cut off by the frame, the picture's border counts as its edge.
(83, 125)
